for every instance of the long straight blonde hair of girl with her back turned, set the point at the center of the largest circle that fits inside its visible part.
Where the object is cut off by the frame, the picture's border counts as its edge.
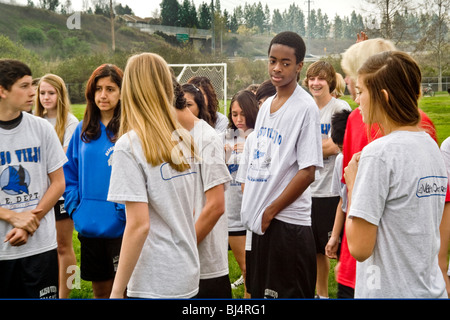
(147, 95)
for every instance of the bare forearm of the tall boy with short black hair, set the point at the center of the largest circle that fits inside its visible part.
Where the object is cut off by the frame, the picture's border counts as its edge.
(293, 190)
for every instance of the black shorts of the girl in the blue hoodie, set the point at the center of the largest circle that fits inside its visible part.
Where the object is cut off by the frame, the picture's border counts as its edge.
(99, 258)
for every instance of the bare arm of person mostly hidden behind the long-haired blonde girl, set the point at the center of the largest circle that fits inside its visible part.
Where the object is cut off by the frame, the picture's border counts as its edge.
(211, 212)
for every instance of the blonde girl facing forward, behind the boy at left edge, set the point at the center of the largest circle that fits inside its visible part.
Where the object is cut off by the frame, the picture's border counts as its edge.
(52, 103)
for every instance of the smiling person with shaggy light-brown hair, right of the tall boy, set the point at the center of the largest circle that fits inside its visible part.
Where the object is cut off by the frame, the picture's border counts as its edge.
(321, 82)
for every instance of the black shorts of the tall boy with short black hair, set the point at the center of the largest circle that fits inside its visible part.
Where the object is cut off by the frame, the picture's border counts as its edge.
(283, 262)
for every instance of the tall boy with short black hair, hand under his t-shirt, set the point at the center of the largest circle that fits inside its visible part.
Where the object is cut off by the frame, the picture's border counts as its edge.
(276, 204)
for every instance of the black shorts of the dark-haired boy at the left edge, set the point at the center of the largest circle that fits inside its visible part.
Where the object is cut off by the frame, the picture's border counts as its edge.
(33, 277)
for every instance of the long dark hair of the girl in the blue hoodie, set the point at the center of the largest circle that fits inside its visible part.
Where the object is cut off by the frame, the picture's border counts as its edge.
(91, 129)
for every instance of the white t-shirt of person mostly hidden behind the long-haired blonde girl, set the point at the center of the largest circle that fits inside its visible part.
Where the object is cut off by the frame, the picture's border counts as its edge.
(213, 250)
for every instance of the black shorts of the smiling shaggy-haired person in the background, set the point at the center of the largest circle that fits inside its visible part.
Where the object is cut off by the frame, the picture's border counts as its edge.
(323, 212)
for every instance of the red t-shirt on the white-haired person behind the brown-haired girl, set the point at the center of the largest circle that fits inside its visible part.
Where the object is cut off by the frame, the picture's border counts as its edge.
(355, 139)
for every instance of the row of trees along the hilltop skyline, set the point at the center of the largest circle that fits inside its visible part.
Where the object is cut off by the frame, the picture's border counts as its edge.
(402, 23)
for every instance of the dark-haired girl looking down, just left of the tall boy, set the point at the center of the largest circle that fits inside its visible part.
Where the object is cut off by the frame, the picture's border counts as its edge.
(242, 117)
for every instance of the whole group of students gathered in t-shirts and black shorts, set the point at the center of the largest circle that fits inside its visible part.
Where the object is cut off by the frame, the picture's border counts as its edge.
(158, 183)
